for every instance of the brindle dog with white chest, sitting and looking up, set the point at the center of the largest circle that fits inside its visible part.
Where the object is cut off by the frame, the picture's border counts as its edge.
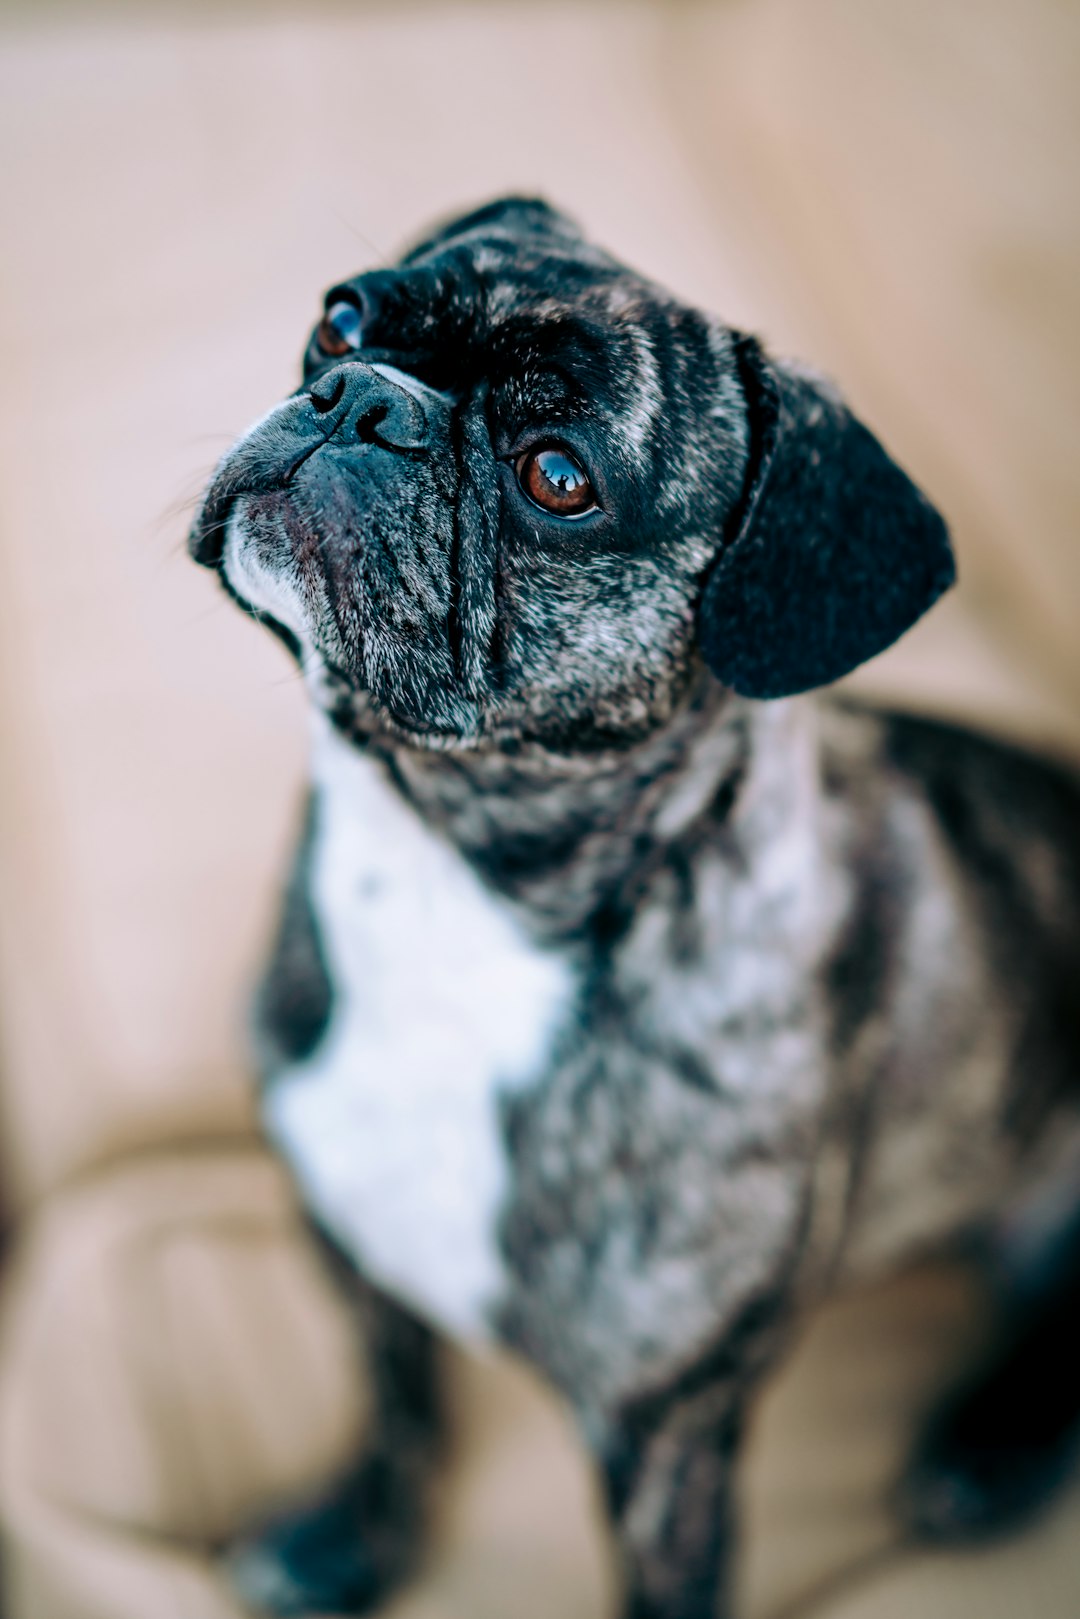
(619, 1008)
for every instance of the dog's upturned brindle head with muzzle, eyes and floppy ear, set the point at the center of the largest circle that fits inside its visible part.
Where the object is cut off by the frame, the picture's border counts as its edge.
(522, 493)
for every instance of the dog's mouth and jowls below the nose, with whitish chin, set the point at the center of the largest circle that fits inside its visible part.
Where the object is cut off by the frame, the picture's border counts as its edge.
(359, 593)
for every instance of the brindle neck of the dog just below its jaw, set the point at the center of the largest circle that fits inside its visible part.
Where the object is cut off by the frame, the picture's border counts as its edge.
(574, 839)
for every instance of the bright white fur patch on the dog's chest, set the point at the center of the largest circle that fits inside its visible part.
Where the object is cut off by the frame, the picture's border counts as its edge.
(441, 1003)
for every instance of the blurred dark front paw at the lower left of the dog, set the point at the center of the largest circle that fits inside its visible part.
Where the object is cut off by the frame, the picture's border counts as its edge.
(294, 1570)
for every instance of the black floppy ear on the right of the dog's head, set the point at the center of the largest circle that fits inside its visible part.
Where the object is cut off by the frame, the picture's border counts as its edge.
(833, 553)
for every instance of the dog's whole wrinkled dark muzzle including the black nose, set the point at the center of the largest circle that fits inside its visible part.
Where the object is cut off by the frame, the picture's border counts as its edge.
(344, 524)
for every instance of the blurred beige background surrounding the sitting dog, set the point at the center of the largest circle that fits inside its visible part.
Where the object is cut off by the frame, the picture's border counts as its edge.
(885, 190)
